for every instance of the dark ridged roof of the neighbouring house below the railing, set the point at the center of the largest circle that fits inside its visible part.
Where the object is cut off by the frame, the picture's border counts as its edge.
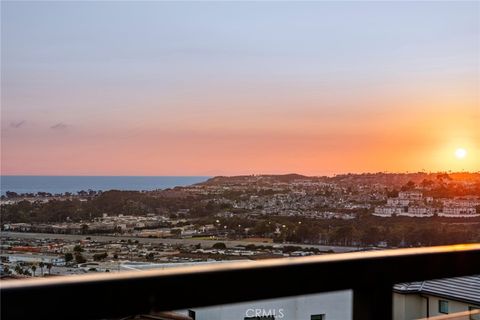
(466, 289)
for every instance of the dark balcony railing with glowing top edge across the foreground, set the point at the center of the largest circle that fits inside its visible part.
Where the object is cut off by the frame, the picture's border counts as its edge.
(370, 275)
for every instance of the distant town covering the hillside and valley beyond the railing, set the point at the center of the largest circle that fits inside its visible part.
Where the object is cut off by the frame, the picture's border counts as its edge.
(234, 218)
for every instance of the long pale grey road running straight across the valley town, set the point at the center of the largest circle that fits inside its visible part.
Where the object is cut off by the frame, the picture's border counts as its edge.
(186, 241)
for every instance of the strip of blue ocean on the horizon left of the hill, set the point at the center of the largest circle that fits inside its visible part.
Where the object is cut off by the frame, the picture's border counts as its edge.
(73, 184)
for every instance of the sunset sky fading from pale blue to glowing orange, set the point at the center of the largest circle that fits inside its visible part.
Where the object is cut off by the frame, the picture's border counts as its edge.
(210, 88)
